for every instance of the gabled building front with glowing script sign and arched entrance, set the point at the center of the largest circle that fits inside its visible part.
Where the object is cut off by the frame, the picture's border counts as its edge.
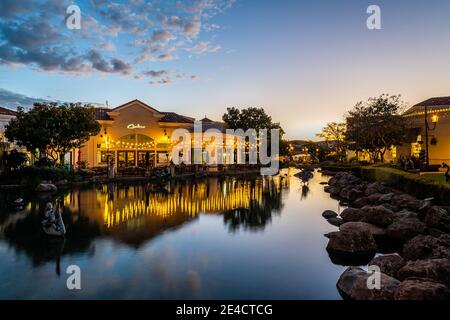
(134, 134)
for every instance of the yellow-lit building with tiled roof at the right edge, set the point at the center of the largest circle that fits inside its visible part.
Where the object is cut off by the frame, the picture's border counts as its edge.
(438, 118)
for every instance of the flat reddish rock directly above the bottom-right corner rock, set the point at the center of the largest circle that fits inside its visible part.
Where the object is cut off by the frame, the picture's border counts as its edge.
(435, 269)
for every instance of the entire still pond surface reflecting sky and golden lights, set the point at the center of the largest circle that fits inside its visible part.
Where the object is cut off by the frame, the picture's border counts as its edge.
(215, 238)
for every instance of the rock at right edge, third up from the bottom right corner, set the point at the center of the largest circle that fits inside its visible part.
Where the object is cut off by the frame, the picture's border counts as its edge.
(424, 247)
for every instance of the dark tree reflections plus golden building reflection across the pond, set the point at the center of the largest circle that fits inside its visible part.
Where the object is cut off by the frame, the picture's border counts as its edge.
(134, 214)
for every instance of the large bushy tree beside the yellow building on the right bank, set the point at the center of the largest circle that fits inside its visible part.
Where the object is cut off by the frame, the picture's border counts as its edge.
(376, 125)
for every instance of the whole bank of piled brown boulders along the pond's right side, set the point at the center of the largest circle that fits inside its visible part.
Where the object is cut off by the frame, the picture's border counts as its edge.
(406, 238)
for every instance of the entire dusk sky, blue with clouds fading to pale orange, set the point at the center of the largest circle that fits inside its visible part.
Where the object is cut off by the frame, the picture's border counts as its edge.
(305, 62)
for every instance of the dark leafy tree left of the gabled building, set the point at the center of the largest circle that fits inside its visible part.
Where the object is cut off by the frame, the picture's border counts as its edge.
(53, 129)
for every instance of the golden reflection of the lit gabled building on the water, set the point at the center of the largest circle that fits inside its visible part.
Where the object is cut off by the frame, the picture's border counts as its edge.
(137, 213)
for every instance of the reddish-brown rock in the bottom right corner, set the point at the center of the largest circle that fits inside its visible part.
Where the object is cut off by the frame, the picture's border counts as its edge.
(419, 289)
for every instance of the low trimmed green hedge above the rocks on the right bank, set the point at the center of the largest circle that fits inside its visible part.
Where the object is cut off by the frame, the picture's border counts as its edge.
(413, 184)
